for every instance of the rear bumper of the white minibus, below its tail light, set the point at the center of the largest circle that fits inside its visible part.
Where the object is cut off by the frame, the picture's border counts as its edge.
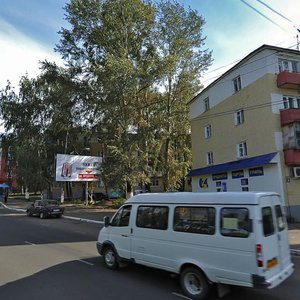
(262, 282)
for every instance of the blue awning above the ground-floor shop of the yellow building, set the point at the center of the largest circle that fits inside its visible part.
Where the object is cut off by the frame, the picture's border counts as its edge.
(235, 165)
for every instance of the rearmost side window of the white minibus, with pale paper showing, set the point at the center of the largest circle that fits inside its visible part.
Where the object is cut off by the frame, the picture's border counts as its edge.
(235, 222)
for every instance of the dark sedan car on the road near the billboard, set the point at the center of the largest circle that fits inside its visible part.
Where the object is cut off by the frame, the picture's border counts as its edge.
(45, 208)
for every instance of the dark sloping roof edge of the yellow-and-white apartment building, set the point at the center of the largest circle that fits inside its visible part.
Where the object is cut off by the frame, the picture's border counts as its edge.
(242, 61)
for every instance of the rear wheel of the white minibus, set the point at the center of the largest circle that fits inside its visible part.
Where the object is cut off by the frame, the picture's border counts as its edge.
(194, 283)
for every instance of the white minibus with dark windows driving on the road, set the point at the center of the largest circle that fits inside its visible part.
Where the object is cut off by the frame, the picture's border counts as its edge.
(231, 238)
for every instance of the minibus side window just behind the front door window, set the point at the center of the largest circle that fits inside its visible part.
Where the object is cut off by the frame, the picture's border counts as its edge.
(154, 217)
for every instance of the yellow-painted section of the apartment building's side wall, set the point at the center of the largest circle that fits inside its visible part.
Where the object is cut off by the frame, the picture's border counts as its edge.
(257, 130)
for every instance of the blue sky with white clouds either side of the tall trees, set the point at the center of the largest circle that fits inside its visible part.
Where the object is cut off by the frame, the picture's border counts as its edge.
(233, 29)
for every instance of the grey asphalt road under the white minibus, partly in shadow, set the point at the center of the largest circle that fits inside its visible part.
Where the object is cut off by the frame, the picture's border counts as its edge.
(57, 259)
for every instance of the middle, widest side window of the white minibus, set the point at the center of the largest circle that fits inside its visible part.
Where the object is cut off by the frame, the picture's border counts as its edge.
(194, 219)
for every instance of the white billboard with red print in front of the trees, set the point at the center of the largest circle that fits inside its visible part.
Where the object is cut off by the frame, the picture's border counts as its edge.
(77, 167)
